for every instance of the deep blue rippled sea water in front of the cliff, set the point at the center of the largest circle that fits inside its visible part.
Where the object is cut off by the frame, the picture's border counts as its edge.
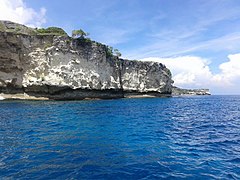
(188, 137)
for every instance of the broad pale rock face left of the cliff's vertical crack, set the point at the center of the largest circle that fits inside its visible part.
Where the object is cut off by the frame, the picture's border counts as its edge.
(76, 68)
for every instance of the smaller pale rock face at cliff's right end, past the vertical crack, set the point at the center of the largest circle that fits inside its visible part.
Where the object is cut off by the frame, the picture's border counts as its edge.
(145, 77)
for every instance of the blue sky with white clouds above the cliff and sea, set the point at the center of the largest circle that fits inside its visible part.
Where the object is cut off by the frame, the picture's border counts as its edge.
(198, 40)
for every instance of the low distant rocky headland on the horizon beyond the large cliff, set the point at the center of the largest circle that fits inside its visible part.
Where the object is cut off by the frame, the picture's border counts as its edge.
(179, 91)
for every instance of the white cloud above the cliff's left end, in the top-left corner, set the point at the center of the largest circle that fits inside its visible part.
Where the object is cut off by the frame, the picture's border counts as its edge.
(17, 11)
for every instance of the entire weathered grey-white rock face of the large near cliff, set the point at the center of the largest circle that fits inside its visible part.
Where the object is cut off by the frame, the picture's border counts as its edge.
(59, 67)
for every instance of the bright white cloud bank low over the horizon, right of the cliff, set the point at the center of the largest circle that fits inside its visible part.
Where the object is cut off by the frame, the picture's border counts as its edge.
(194, 72)
